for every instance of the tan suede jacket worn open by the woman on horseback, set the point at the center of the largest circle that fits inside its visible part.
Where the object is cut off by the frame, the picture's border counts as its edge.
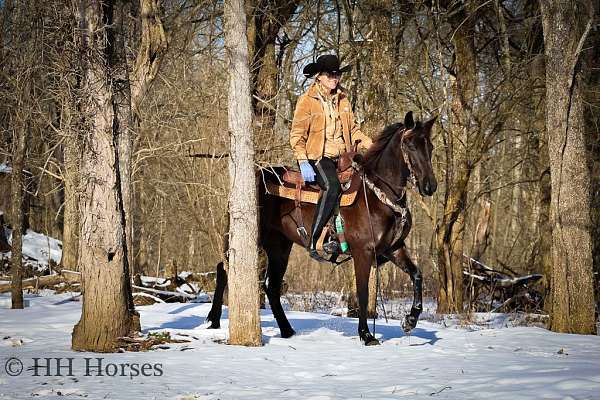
(307, 135)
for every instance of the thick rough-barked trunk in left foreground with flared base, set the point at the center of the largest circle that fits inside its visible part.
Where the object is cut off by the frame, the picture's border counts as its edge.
(107, 312)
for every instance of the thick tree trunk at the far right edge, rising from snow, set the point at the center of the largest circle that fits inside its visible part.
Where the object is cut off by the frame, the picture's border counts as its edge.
(566, 26)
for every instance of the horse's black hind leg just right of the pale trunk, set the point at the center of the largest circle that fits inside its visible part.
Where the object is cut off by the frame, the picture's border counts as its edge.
(278, 249)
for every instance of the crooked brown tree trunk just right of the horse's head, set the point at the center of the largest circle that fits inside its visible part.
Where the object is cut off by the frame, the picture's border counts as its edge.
(450, 231)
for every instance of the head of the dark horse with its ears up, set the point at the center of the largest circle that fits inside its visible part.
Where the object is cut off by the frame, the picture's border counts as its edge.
(416, 149)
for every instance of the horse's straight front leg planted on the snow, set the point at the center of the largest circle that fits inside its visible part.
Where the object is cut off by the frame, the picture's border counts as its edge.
(362, 269)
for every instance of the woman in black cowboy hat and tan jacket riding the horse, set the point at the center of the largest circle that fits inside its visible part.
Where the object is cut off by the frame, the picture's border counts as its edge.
(322, 129)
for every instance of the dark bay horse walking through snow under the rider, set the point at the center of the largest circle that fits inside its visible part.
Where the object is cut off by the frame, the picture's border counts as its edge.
(399, 152)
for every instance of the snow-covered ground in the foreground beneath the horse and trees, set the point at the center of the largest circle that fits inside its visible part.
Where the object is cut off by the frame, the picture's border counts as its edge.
(324, 361)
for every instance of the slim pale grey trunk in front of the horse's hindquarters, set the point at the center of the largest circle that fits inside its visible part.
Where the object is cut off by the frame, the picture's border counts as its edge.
(244, 303)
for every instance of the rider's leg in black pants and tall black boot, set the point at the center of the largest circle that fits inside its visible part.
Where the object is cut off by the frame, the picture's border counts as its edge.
(331, 189)
